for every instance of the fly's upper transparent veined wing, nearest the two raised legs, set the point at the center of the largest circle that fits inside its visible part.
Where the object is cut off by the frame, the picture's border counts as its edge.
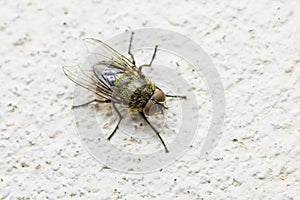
(106, 55)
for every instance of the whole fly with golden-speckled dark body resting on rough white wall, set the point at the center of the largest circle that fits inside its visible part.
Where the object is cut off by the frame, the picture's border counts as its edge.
(116, 79)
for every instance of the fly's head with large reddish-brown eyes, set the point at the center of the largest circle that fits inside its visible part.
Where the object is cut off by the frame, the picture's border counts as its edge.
(156, 104)
